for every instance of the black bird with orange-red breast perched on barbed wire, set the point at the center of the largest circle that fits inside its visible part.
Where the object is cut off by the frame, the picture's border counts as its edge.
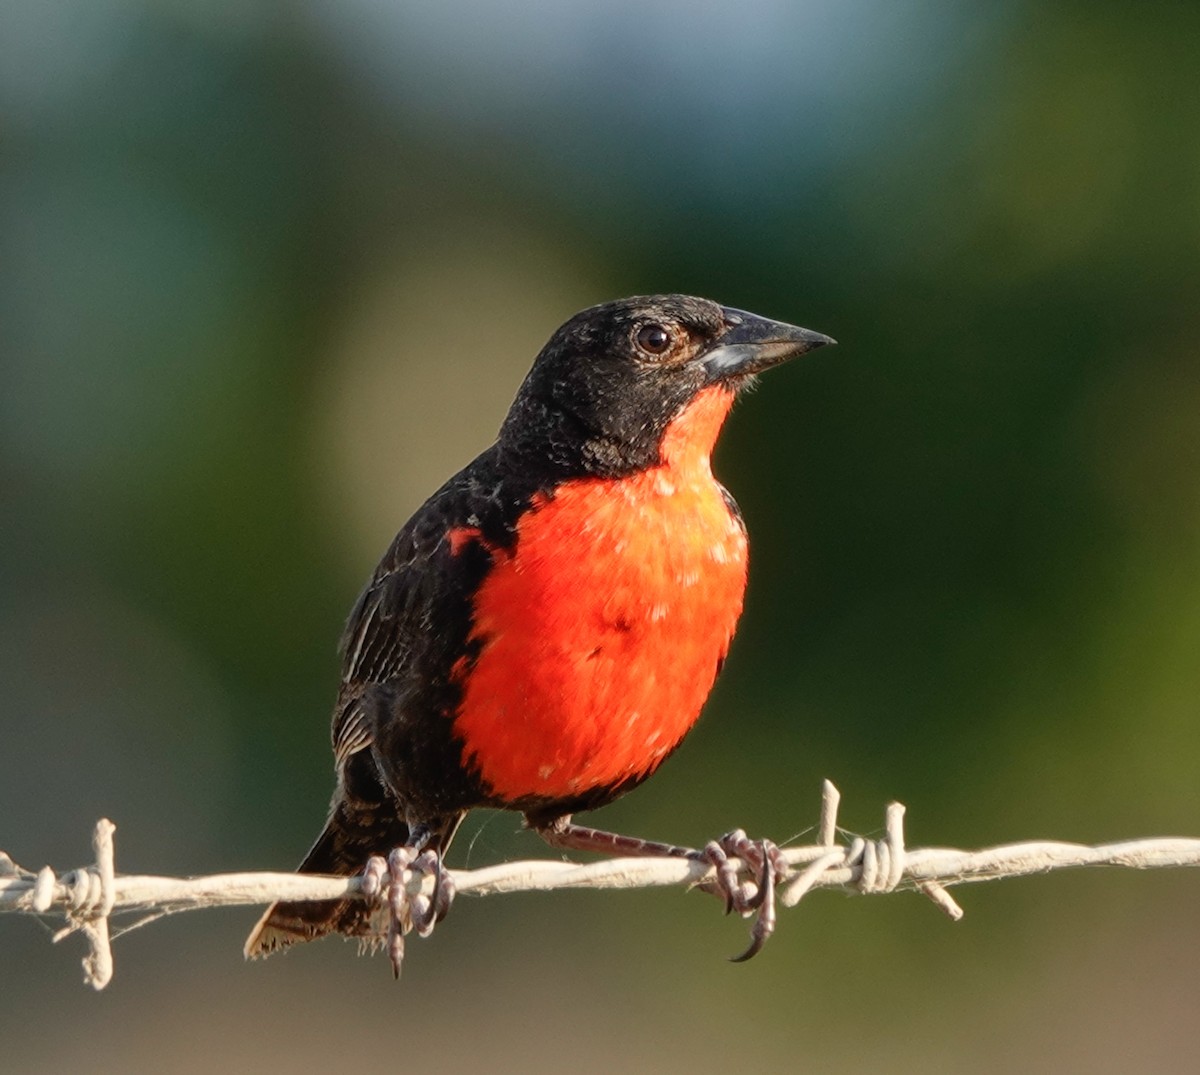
(544, 632)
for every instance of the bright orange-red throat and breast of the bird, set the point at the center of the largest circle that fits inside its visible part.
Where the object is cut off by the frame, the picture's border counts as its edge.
(603, 632)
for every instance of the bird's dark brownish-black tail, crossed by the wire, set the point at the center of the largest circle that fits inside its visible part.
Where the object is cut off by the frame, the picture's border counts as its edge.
(352, 836)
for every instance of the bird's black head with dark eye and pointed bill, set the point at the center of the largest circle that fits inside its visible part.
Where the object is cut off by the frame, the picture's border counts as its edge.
(611, 380)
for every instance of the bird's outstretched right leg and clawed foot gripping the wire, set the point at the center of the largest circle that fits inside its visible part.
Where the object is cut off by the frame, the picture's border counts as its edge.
(763, 857)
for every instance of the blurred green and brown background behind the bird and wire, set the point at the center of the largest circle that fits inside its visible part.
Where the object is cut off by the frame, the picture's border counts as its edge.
(271, 272)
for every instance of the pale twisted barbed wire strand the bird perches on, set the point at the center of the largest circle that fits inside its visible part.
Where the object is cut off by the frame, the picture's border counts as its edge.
(91, 897)
